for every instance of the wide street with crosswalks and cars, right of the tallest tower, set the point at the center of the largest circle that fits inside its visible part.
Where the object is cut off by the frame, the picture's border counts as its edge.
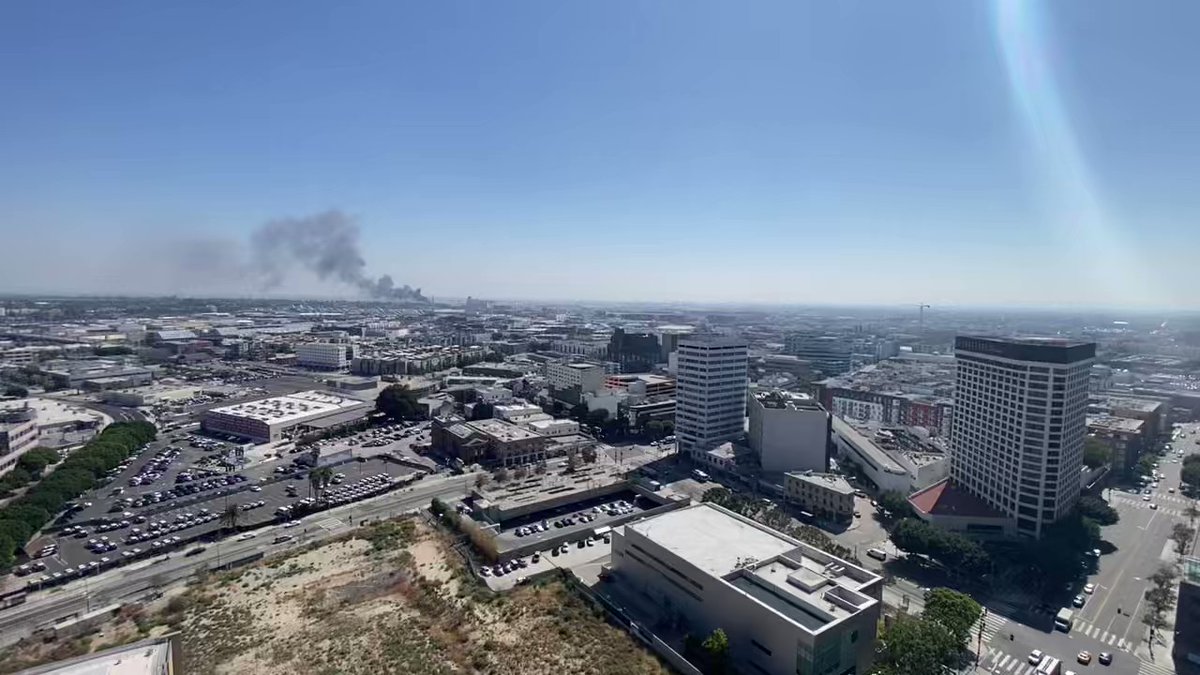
(1111, 620)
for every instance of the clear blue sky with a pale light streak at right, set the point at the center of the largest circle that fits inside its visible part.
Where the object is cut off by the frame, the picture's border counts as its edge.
(946, 152)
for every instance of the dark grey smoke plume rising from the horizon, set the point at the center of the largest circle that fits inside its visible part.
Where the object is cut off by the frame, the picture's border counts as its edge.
(327, 244)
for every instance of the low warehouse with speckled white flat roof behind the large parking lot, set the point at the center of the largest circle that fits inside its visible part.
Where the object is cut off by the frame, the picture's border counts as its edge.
(274, 420)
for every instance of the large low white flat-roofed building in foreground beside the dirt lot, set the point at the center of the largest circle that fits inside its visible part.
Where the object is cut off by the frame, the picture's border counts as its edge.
(787, 607)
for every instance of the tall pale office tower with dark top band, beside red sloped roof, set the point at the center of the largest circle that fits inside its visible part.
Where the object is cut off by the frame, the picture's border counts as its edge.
(1019, 425)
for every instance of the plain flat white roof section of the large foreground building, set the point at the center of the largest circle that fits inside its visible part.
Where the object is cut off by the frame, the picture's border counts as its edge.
(711, 540)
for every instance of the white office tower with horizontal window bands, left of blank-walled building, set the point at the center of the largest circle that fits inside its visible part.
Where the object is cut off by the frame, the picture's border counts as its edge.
(711, 392)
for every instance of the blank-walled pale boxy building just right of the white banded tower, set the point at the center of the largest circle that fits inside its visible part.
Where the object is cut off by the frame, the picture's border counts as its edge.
(789, 432)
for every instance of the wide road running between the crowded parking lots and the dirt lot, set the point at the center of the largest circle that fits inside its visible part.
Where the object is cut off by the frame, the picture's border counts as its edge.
(135, 582)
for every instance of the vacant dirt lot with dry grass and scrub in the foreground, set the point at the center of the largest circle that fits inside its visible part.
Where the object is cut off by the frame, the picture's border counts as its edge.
(388, 599)
